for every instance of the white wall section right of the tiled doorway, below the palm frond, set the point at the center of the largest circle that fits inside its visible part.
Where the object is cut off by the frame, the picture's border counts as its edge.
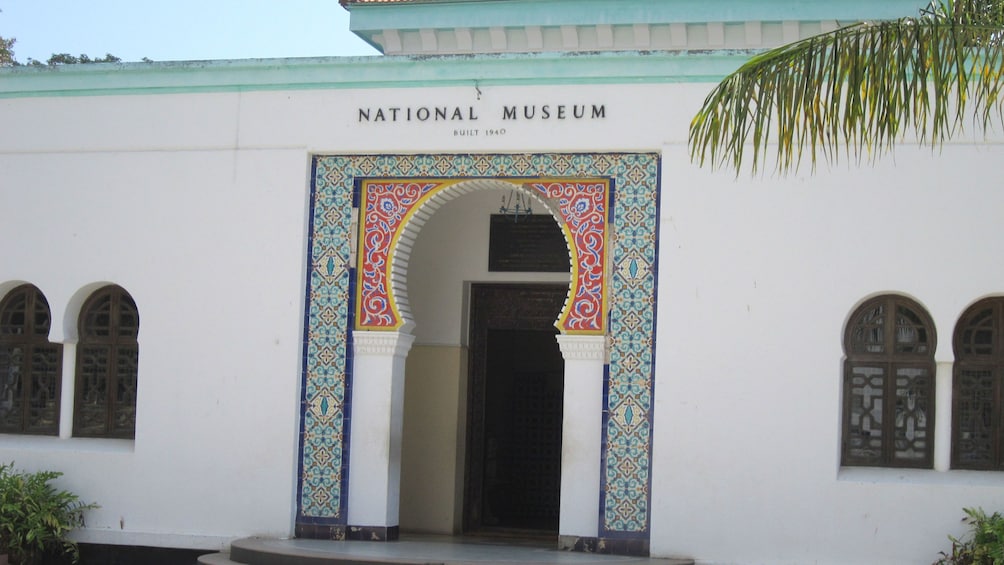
(758, 281)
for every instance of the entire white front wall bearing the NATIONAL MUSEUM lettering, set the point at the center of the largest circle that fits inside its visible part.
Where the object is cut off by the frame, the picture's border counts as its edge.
(196, 204)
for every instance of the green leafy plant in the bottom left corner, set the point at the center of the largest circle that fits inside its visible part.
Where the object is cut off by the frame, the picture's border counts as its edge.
(36, 517)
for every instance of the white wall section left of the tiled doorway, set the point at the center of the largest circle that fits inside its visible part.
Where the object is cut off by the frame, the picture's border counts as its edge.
(151, 194)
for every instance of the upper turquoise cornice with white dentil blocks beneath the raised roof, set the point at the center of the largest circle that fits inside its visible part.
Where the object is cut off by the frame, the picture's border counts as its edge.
(512, 27)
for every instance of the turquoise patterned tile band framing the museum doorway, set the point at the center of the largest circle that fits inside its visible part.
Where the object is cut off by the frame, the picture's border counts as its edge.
(625, 496)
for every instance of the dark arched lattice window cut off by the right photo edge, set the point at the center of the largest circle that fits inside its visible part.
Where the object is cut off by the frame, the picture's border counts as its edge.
(976, 395)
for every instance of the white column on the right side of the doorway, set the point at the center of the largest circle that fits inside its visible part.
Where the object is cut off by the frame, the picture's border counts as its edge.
(582, 434)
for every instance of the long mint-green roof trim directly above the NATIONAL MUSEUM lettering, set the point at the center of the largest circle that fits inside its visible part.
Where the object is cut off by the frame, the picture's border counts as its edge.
(614, 68)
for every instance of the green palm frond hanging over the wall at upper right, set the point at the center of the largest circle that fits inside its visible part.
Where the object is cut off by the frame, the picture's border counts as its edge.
(859, 90)
